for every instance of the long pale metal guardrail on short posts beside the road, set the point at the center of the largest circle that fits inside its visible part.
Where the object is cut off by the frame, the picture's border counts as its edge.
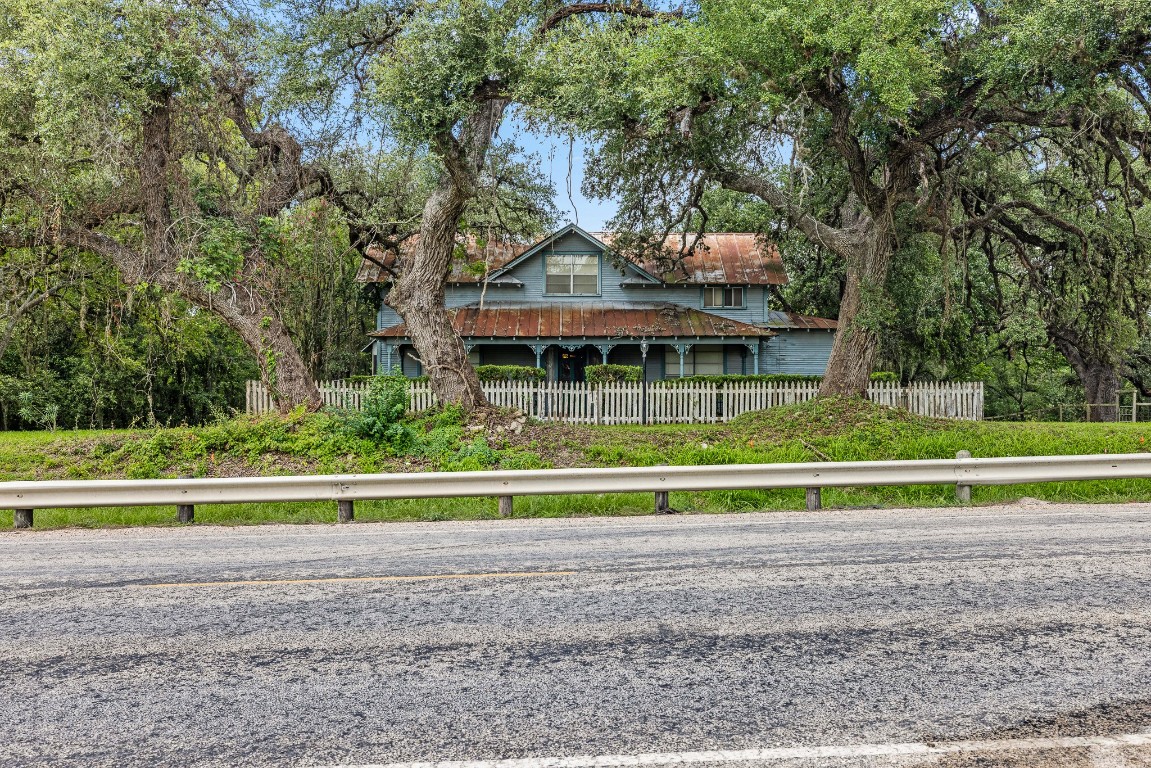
(26, 497)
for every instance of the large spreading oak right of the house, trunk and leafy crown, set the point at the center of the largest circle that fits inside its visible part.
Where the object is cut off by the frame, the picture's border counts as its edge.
(883, 100)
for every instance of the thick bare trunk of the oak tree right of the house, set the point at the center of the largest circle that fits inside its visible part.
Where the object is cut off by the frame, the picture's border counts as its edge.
(857, 341)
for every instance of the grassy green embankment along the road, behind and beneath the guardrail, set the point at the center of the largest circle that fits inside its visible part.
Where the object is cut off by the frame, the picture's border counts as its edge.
(820, 431)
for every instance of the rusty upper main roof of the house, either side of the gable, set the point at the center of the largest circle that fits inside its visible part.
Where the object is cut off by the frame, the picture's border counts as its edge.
(719, 258)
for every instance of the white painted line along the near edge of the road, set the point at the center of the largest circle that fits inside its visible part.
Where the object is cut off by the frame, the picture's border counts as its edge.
(784, 754)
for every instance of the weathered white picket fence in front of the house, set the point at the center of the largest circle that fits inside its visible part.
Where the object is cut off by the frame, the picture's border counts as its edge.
(660, 402)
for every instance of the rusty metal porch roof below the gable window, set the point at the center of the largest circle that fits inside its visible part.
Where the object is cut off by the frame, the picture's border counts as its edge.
(590, 321)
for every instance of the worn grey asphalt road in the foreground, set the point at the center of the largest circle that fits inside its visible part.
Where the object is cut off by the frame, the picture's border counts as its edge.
(856, 638)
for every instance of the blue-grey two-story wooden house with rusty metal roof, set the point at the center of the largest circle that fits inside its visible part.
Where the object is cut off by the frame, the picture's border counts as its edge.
(565, 303)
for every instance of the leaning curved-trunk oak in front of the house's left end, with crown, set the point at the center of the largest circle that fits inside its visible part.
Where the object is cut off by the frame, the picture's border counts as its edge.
(436, 82)
